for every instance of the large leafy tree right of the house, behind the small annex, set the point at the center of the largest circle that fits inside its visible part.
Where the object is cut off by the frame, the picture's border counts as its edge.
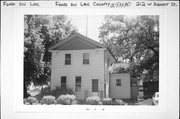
(134, 39)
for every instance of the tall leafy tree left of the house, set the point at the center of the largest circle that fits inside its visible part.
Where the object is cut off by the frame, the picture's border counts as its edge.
(41, 32)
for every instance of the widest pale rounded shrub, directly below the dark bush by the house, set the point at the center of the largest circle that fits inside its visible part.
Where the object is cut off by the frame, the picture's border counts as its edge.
(66, 99)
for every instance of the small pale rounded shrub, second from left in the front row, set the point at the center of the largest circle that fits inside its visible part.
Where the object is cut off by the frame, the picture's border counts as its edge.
(49, 99)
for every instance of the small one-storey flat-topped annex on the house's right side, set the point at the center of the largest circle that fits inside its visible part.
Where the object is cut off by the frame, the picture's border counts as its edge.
(122, 85)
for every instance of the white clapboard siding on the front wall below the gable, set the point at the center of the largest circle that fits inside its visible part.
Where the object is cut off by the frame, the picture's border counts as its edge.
(93, 70)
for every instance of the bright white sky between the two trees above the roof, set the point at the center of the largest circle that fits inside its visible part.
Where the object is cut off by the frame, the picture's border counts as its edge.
(94, 22)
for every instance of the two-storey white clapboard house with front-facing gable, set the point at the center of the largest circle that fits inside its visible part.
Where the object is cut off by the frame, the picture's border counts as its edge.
(82, 64)
